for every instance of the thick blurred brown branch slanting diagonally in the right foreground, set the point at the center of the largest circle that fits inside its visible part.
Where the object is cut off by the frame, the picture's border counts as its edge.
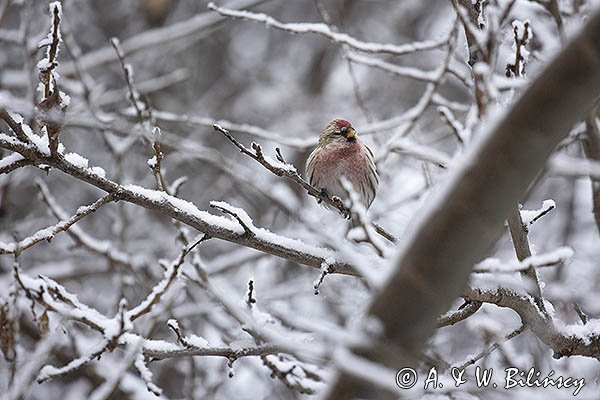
(467, 214)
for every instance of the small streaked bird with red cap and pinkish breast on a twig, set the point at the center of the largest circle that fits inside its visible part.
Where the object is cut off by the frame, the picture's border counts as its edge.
(341, 153)
